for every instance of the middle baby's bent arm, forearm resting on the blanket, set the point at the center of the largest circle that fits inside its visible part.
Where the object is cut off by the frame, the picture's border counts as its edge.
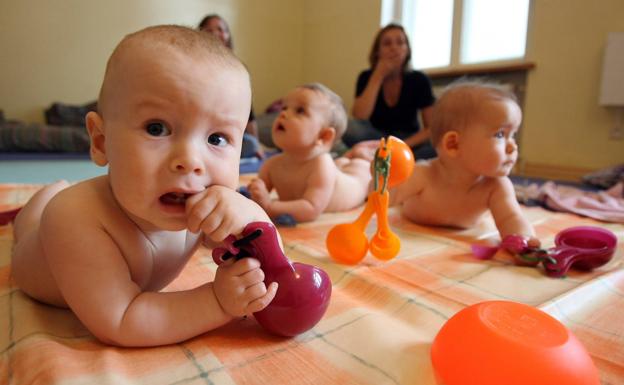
(317, 195)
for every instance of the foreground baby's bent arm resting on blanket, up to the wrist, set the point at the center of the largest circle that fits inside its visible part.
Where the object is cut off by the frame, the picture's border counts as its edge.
(97, 283)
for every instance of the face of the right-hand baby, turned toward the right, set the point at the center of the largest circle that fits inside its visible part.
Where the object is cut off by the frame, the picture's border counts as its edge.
(488, 146)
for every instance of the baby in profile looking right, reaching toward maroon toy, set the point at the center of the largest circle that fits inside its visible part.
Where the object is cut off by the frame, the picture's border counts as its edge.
(473, 130)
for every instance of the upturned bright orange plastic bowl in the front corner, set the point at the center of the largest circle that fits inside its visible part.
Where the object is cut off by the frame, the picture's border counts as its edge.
(501, 342)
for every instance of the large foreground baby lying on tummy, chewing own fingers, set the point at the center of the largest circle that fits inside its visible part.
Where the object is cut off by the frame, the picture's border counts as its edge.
(171, 114)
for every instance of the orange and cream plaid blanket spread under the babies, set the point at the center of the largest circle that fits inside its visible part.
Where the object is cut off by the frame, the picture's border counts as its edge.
(378, 329)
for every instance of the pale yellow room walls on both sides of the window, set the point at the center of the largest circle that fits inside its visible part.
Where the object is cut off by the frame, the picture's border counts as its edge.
(57, 50)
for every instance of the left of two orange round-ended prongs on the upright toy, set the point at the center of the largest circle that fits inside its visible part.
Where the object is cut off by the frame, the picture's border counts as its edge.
(347, 242)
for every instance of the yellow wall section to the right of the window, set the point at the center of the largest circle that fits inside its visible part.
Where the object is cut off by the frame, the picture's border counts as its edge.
(564, 125)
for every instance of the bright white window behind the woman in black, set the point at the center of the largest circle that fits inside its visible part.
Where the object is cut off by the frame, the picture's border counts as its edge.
(447, 33)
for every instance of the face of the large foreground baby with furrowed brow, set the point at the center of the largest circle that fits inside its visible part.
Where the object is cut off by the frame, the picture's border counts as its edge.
(175, 127)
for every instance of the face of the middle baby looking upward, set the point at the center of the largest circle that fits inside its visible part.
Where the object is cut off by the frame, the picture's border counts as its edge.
(299, 123)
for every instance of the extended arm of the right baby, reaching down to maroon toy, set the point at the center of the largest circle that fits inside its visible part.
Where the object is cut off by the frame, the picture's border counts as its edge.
(507, 212)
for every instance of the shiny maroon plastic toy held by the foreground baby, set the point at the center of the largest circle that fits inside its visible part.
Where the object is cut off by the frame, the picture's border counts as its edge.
(304, 290)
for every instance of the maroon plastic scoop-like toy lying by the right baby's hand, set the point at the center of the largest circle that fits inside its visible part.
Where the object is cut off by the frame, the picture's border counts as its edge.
(580, 247)
